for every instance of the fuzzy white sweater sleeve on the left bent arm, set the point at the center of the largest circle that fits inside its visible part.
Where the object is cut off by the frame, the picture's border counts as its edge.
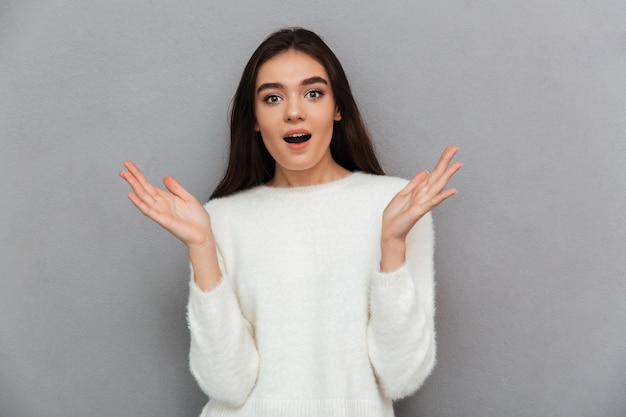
(223, 356)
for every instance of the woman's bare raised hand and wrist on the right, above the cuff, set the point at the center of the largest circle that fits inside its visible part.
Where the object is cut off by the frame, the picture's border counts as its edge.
(422, 194)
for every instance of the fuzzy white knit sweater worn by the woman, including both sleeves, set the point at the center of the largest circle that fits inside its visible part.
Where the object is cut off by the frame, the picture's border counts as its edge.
(303, 323)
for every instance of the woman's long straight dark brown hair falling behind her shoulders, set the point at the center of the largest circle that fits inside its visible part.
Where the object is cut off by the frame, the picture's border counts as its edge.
(249, 162)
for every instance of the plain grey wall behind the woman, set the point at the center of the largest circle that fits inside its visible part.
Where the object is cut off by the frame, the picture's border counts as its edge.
(530, 255)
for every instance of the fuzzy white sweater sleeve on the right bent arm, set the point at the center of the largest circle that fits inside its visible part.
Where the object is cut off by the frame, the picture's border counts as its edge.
(401, 333)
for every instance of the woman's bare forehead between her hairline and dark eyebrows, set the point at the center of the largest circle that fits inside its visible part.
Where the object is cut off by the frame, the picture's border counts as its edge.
(290, 67)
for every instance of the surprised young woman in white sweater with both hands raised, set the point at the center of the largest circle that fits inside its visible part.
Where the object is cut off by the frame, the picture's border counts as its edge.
(312, 273)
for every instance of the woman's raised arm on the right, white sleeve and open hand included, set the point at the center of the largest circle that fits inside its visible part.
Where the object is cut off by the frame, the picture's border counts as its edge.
(401, 338)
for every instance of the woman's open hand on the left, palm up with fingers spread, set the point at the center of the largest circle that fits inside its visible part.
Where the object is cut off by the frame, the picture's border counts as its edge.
(176, 210)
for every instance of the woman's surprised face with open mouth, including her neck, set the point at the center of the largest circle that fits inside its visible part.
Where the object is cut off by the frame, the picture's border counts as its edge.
(295, 110)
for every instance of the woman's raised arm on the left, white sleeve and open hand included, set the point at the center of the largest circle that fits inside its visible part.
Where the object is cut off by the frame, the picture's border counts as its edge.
(223, 356)
